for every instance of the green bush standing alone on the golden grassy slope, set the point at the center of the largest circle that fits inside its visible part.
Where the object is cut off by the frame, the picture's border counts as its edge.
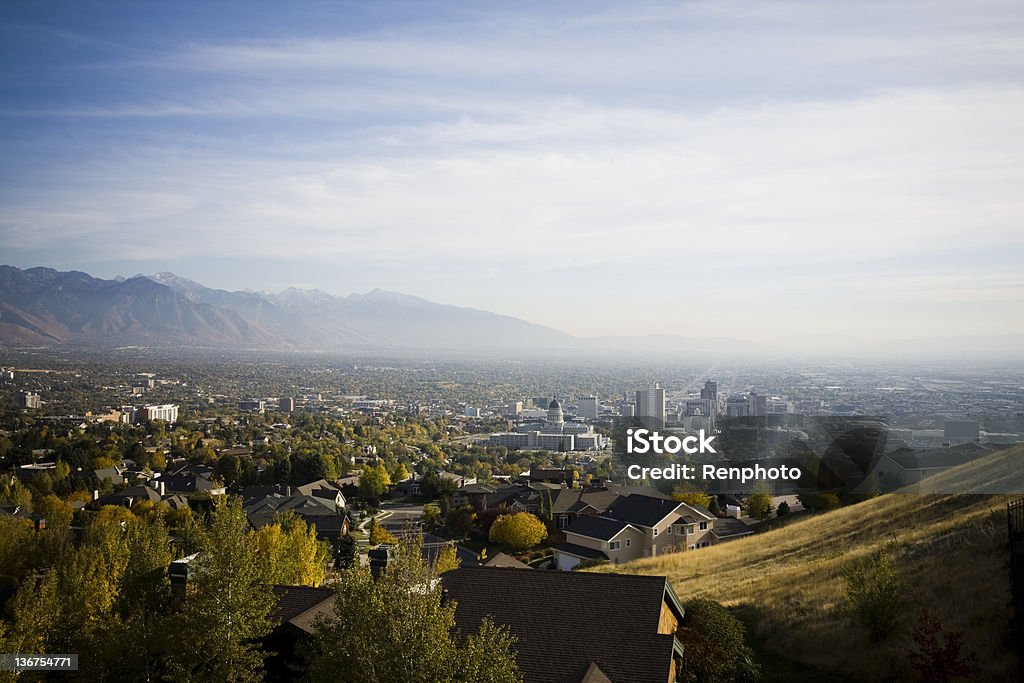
(875, 594)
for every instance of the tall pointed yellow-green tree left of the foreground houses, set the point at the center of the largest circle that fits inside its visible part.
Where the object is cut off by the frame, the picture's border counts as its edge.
(216, 634)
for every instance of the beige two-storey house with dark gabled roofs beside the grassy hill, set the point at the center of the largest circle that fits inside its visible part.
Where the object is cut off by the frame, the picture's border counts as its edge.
(635, 527)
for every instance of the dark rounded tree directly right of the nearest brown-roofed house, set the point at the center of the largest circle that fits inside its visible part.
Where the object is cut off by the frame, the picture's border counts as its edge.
(714, 648)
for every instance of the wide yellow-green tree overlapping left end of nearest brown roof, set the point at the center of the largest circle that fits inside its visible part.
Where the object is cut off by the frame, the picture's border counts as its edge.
(393, 633)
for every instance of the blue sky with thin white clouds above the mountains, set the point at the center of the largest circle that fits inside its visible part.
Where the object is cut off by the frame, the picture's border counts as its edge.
(761, 170)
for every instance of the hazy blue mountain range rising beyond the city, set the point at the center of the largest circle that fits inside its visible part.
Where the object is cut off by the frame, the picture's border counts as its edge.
(46, 307)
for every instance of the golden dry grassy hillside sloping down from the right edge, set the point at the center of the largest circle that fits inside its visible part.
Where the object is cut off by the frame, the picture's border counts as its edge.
(787, 583)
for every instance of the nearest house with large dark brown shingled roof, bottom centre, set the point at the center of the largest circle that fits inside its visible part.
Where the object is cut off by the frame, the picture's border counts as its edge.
(575, 627)
